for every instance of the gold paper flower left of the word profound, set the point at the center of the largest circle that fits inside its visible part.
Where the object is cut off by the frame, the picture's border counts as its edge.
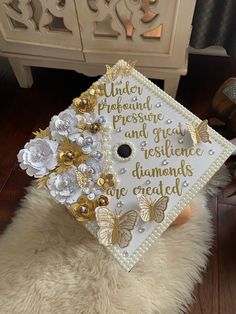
(85, 103)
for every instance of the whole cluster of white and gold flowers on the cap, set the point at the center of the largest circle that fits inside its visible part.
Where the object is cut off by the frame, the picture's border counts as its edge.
(69, 157)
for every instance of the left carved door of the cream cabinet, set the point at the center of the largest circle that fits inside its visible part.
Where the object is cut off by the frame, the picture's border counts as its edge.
(40, 27)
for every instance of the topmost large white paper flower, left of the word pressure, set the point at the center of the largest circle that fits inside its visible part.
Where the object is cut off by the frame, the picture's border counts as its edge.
(65, 124)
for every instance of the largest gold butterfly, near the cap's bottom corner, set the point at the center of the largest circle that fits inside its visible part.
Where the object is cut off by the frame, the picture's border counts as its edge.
(115, 228)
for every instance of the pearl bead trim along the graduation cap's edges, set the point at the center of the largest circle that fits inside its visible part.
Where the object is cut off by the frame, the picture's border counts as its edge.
(129, 262)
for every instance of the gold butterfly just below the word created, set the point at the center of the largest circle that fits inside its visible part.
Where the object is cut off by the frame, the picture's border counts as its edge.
(152, 211)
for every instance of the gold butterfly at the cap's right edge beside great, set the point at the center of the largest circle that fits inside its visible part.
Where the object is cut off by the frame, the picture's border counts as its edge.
(200, 133)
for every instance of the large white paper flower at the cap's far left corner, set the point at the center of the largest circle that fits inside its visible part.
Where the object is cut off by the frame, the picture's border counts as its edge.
(38, 157)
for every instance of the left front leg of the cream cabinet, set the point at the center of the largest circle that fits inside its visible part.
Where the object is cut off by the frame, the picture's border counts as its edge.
(22, 73)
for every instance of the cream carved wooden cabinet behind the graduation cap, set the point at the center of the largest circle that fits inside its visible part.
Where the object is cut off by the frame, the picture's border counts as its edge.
(85, 35)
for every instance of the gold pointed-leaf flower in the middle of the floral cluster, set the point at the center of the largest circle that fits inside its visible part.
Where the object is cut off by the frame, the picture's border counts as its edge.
(69, 154)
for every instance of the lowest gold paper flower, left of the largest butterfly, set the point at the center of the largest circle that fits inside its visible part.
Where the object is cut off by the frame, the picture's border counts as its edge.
(83, 209)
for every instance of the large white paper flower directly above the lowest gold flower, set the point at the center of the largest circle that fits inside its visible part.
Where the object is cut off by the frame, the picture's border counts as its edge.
(64, 187)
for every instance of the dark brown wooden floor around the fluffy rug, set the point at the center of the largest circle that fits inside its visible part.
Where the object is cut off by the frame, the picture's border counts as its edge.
(25, 110)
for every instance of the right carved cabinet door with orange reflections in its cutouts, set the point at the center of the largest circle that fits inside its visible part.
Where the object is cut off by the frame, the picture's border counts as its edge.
(154, 32)
